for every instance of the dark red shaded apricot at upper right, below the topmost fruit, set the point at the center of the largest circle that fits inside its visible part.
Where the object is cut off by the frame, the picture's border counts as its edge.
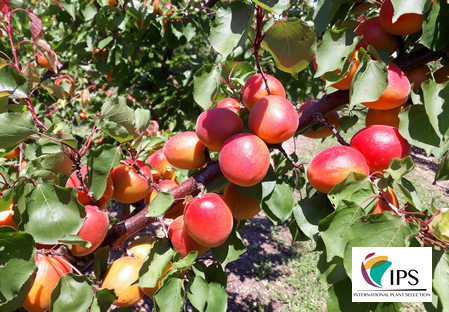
(375, 35)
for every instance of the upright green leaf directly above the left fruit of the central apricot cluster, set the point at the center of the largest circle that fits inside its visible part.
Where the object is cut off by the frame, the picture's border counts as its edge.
(206, 85)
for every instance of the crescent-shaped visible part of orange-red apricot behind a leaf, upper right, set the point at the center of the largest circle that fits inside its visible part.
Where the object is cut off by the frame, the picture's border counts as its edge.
(396, 93)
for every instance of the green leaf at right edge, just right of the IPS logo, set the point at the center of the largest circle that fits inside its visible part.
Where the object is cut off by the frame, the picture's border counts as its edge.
(440, 275)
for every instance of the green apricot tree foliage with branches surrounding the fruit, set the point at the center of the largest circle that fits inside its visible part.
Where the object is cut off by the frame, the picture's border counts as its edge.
(137, 61)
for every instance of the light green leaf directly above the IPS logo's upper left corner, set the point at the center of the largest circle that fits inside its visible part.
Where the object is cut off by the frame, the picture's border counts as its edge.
(334, 229)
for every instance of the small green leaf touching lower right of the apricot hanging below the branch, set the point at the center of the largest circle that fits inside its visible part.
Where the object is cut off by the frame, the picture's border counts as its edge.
(231, 249)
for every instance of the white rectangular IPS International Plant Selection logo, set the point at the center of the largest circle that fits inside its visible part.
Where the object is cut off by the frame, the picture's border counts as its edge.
(391, 274)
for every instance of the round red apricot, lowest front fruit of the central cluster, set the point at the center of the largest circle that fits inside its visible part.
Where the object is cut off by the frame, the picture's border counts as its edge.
(244, 159)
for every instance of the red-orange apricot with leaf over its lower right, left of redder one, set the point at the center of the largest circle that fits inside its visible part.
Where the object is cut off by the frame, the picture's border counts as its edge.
(333, 165)
